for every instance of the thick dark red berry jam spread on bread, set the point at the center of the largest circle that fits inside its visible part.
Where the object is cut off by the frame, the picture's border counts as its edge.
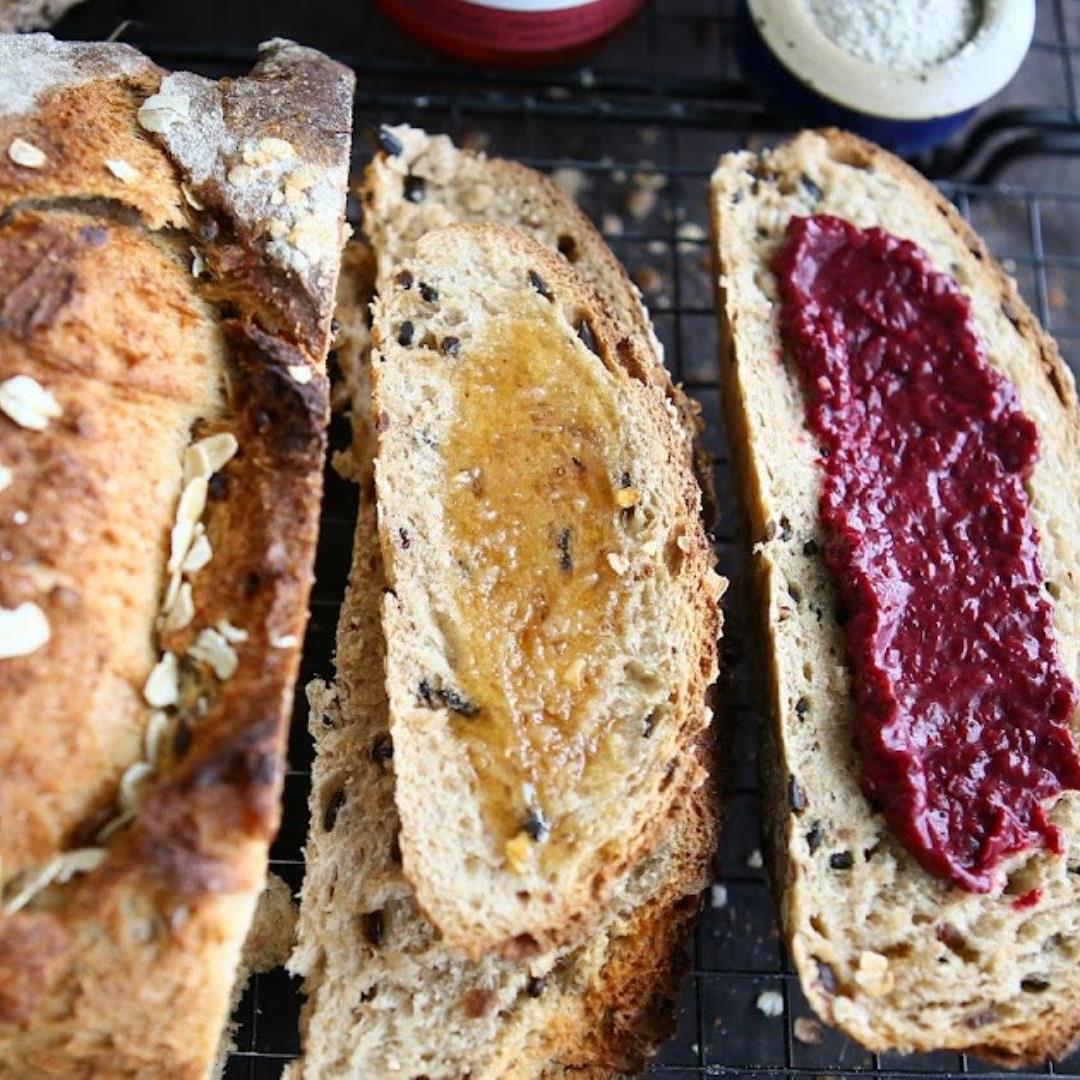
(963, 707)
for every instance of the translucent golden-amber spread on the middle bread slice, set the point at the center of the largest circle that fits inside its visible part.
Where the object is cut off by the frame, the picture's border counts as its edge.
(533, 516)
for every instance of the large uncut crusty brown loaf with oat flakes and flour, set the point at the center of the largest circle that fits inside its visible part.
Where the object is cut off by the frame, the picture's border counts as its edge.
(169, 253)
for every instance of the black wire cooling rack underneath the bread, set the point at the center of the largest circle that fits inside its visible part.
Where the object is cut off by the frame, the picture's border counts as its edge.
(664, 99)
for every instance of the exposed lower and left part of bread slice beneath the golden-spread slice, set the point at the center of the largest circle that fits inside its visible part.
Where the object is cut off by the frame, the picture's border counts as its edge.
(396, 1001)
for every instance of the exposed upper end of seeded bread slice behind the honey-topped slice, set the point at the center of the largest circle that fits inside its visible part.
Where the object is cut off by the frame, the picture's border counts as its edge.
(420, 182)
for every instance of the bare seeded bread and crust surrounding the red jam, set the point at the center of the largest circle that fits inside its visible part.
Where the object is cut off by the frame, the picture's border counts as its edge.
(890, 955)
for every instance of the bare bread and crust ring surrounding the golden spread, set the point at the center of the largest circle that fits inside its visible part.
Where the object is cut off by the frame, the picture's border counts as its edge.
(464, 881)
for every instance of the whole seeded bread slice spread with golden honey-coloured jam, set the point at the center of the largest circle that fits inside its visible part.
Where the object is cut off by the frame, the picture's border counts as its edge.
(549, 646)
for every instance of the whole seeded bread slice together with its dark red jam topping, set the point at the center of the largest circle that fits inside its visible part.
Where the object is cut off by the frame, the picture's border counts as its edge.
(909, 450)
